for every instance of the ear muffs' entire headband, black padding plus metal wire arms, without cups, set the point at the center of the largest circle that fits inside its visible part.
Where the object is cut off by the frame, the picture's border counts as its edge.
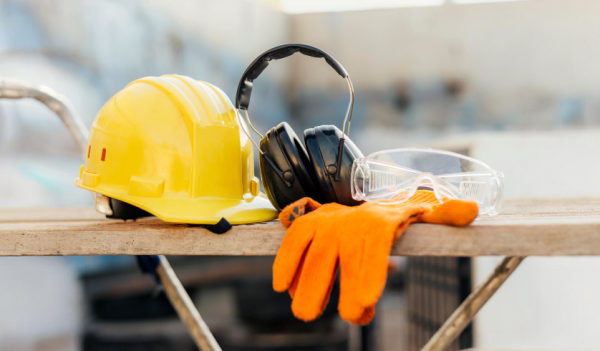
(242, 96)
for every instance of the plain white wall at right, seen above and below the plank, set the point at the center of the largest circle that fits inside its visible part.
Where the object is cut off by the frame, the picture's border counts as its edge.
(549, 303)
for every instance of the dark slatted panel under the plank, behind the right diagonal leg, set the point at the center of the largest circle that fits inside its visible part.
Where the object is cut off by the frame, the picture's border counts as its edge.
(435, 287)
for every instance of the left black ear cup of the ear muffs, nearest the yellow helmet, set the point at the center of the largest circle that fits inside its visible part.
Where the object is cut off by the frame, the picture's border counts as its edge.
(286, 151)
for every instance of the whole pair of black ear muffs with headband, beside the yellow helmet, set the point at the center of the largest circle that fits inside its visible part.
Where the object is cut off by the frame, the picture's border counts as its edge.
(290, 172)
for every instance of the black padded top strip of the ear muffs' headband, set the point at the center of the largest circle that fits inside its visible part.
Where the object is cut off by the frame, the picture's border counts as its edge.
(242, 96)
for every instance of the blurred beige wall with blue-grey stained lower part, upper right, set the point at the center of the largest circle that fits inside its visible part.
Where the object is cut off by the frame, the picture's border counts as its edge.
(525, 65)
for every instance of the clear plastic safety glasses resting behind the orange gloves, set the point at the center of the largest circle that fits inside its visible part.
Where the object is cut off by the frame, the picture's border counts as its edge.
(393, 176)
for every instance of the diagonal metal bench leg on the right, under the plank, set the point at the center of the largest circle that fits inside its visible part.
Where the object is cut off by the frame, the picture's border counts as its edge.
(464, 314)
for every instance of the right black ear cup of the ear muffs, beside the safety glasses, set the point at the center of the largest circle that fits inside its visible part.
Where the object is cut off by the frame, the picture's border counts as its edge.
(322, 144)
